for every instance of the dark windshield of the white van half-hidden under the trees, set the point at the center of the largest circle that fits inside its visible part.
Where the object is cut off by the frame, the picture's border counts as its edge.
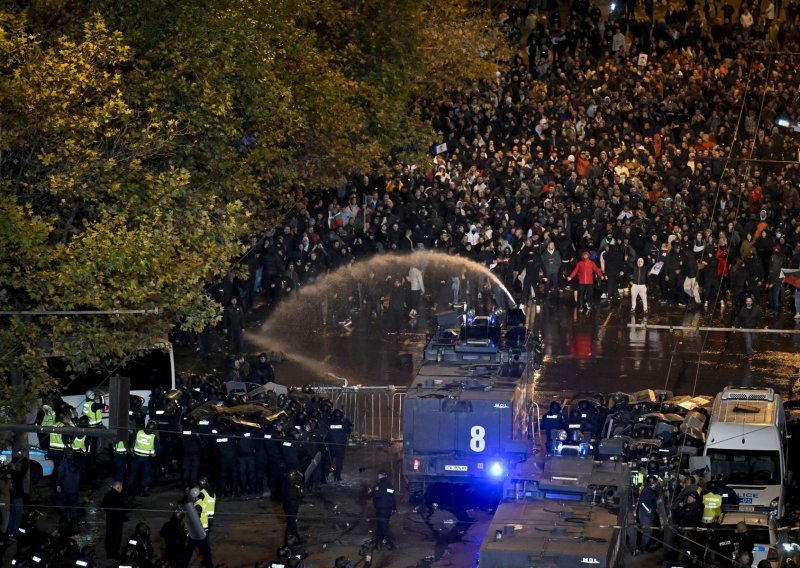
(151, 368)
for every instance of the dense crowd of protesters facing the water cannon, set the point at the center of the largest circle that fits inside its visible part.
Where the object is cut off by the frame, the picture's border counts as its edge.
(686, 158)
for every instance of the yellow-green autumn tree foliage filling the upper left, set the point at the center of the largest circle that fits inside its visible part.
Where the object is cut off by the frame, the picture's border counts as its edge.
(140, 142)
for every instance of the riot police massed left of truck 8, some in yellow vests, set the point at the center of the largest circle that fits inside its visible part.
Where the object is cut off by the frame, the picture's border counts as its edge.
(290, 444)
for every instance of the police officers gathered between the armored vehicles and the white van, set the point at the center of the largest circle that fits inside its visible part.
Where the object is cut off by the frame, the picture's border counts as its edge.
(687, 510)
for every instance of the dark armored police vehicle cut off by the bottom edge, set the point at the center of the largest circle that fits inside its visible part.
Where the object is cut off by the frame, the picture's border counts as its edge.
(564, 511)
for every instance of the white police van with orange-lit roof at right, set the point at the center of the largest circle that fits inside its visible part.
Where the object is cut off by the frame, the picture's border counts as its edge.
(747, 443)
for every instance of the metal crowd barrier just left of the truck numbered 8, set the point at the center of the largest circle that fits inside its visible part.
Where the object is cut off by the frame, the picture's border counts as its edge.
(376, 412)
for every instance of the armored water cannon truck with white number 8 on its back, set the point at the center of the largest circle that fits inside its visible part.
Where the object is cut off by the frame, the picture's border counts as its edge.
(467, 417)
